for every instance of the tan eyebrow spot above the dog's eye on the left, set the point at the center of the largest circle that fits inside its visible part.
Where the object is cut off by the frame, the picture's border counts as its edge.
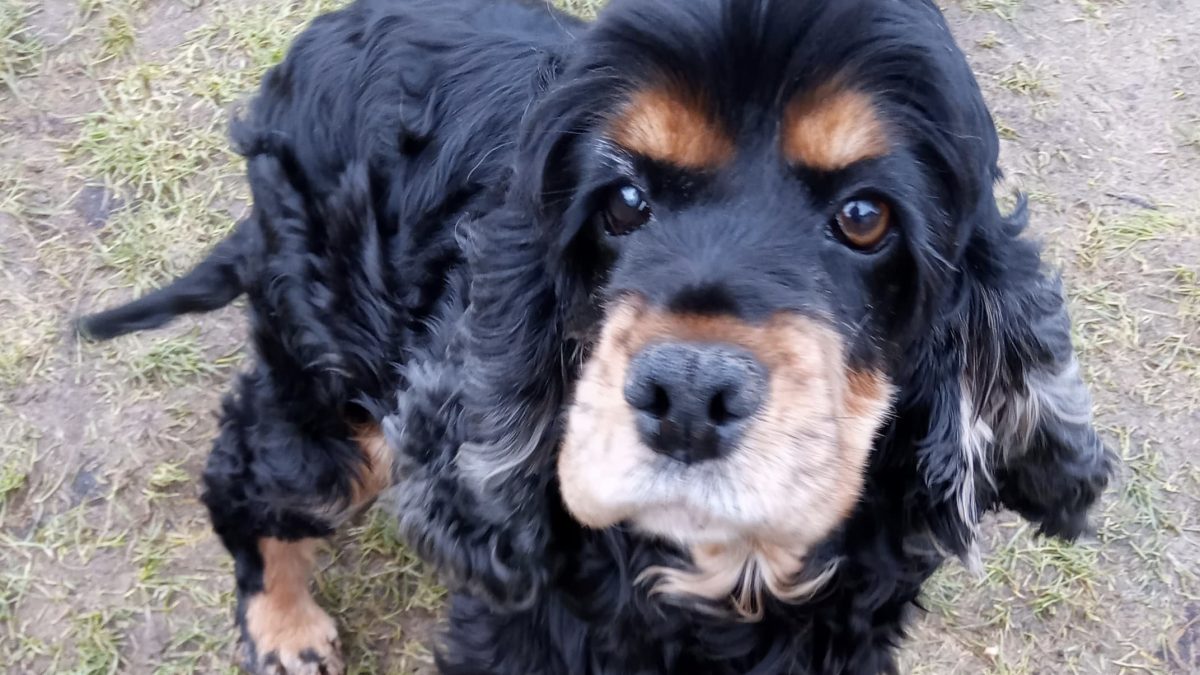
(669, 127)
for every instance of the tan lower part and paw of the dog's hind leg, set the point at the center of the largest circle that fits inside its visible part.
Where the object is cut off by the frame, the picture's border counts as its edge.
(284, 623)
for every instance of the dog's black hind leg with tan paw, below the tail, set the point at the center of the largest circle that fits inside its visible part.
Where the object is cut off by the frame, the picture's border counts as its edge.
(274, 491)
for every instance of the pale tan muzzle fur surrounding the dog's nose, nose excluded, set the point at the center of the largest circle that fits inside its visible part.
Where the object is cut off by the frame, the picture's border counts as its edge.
(748, 518)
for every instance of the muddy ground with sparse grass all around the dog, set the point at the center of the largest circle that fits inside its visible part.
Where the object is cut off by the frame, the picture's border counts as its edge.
(115, 175)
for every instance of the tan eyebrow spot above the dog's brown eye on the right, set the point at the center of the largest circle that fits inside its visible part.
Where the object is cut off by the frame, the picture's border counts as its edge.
(832, 129)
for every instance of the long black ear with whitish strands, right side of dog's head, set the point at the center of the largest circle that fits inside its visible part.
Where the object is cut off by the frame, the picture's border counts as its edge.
(991, 393)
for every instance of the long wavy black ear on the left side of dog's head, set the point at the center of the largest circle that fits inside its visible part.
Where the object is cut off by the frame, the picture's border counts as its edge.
(478, 428)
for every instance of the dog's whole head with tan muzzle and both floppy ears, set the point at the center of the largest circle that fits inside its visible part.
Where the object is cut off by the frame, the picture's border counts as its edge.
(772, 225)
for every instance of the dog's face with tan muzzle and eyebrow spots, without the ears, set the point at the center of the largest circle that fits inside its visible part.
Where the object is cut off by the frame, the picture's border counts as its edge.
(761, 188)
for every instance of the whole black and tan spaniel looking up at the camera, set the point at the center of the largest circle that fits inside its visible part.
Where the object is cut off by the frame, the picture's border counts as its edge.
(689, 341)
